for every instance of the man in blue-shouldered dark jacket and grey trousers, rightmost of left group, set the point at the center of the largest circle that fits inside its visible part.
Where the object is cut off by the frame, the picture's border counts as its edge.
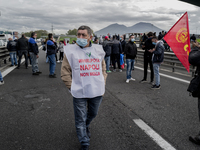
(33, 51)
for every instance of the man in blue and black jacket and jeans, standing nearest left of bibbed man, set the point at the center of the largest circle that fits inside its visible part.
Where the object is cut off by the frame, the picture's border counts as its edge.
(51, 52)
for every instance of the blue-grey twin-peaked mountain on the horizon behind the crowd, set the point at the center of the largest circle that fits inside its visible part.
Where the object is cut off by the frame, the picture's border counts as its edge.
(141, 27)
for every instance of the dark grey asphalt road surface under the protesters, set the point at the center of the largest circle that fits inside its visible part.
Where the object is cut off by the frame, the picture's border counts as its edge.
(36, 113)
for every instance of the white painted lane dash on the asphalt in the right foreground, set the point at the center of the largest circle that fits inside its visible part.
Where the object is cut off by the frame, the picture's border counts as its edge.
(155, 136)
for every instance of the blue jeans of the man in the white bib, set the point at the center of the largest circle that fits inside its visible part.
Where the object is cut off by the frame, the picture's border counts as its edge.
(84, 116)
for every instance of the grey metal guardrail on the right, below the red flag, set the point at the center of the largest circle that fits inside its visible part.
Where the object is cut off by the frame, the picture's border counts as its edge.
(170, 60)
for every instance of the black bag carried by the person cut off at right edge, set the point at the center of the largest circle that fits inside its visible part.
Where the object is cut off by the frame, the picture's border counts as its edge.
(194, 86)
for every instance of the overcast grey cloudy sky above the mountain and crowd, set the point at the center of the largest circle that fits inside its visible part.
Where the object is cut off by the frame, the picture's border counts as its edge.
(28, 15)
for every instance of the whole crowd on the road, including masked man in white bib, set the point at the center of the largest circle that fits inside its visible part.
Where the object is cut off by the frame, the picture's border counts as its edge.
(86, 64)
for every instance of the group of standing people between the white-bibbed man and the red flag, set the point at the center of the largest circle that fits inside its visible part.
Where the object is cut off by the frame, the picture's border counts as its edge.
(153, 56)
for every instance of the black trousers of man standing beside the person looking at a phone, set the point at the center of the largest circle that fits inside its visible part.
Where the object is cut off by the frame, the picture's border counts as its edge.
(148, 60)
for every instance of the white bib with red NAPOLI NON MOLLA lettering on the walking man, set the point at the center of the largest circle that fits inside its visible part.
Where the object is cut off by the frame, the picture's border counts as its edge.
(87, 75)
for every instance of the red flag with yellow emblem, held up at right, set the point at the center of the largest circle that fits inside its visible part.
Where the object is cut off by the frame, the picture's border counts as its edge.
(178, 38)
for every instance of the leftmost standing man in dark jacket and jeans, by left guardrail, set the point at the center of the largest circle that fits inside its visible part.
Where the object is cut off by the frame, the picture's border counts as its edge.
(12, 48)
